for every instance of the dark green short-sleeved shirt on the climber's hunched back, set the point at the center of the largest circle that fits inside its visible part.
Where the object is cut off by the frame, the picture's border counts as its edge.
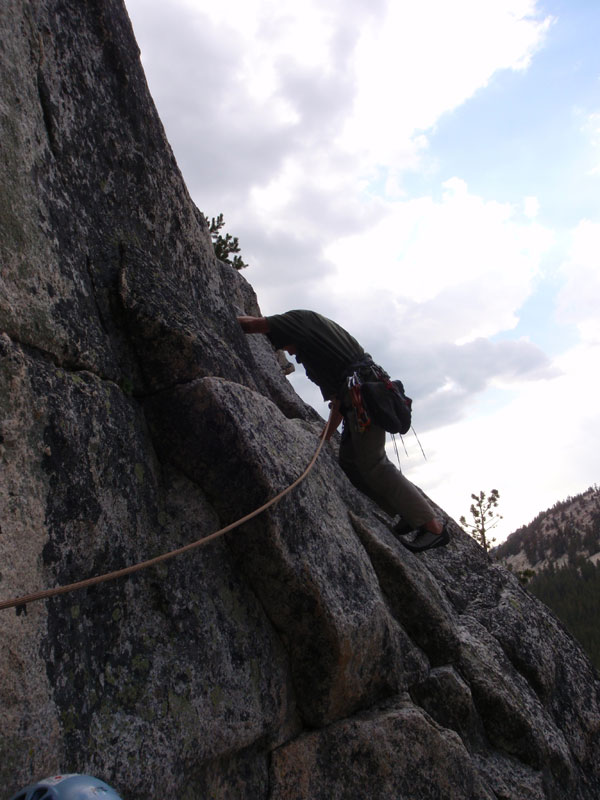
(324, 348)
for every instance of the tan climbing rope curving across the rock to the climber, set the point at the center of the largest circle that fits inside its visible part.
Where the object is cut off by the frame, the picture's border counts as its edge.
(121, 573)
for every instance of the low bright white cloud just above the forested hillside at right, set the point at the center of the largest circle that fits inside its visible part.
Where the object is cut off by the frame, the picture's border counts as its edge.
(535, 449)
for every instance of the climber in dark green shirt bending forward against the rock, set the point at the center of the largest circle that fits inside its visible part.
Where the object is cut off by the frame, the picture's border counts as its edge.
(330, 355)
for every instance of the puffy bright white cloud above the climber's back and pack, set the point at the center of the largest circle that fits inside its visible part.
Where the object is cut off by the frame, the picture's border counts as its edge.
(451, 270)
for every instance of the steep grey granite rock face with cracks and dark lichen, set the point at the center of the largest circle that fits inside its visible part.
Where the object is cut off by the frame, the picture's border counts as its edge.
(303, 655)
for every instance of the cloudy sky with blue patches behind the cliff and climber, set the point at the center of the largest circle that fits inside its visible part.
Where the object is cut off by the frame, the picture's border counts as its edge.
(428, 175)
